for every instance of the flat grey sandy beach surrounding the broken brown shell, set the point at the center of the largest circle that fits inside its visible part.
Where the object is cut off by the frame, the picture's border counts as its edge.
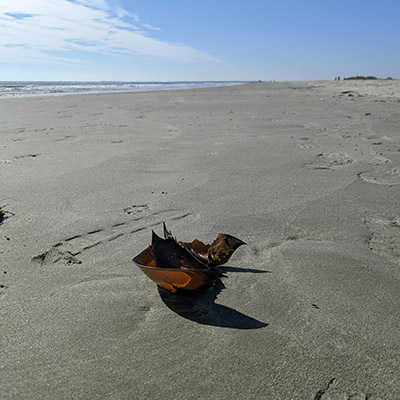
(307, 173)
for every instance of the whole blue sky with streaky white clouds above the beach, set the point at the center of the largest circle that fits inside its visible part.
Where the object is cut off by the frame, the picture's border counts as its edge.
(172, 40)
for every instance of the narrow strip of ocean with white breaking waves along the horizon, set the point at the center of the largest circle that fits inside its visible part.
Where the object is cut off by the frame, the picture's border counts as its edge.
(29, 89)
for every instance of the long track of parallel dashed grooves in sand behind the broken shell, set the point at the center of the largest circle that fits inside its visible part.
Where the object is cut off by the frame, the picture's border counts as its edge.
(67, 251)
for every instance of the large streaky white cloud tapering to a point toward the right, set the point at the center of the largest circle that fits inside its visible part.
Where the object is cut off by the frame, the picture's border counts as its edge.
(42, 31)
